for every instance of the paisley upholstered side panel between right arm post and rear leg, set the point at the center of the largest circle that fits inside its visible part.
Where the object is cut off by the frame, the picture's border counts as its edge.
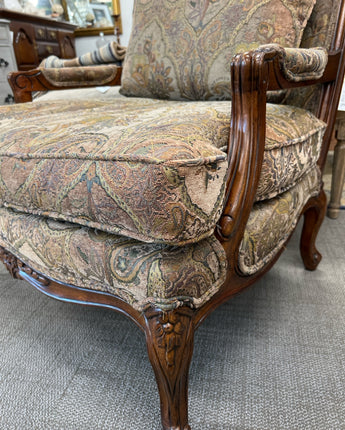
(271, 222)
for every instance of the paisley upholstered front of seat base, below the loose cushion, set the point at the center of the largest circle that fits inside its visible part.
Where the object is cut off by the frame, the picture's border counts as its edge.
(137, 272)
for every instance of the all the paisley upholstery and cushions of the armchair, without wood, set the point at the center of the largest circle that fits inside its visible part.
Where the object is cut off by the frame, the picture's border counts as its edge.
(123, 195)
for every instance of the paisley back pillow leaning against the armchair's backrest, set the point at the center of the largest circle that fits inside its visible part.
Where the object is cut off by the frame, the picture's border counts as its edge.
(181, 49)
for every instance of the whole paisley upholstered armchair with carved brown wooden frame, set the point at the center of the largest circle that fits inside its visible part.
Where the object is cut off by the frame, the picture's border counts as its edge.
(185, 188)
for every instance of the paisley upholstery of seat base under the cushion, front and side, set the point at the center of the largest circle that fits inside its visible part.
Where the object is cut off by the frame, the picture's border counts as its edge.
(141, 273)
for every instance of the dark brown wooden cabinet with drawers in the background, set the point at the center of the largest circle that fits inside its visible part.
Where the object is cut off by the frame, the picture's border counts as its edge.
(35, 38)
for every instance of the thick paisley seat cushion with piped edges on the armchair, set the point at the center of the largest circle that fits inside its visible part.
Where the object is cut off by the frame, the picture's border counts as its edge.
(147, 169)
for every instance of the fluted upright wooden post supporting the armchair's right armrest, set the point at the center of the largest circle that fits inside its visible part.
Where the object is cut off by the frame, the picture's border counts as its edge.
(246, 144)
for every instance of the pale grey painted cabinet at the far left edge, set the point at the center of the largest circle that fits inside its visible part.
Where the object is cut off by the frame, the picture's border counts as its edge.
(7, 62)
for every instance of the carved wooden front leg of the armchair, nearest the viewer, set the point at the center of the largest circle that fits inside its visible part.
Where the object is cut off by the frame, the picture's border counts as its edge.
(169, 338)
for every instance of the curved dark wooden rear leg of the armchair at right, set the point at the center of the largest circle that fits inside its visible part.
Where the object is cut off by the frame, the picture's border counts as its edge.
(313, 217)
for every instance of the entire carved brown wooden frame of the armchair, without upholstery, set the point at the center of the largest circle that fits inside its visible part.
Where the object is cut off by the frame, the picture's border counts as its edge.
(169, 334)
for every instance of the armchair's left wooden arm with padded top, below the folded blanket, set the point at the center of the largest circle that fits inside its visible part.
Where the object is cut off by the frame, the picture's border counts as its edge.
(25, 82)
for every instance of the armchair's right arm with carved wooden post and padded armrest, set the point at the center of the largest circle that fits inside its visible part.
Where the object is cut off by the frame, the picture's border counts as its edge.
(253, 73)
